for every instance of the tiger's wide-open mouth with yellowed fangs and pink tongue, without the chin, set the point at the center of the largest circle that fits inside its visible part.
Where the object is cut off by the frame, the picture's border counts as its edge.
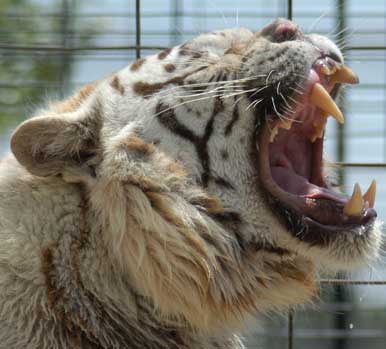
(291, 159)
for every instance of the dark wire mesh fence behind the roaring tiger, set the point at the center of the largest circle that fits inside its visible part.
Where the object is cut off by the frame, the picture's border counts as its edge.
(58, 54)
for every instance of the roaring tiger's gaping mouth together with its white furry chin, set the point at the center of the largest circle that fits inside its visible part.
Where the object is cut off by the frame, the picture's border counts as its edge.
(341, 231)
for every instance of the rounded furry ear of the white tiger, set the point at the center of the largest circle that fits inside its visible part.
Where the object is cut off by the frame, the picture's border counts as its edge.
(55, 144)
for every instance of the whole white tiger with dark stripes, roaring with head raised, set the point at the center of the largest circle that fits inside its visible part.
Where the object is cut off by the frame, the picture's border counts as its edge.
(165, 205)
